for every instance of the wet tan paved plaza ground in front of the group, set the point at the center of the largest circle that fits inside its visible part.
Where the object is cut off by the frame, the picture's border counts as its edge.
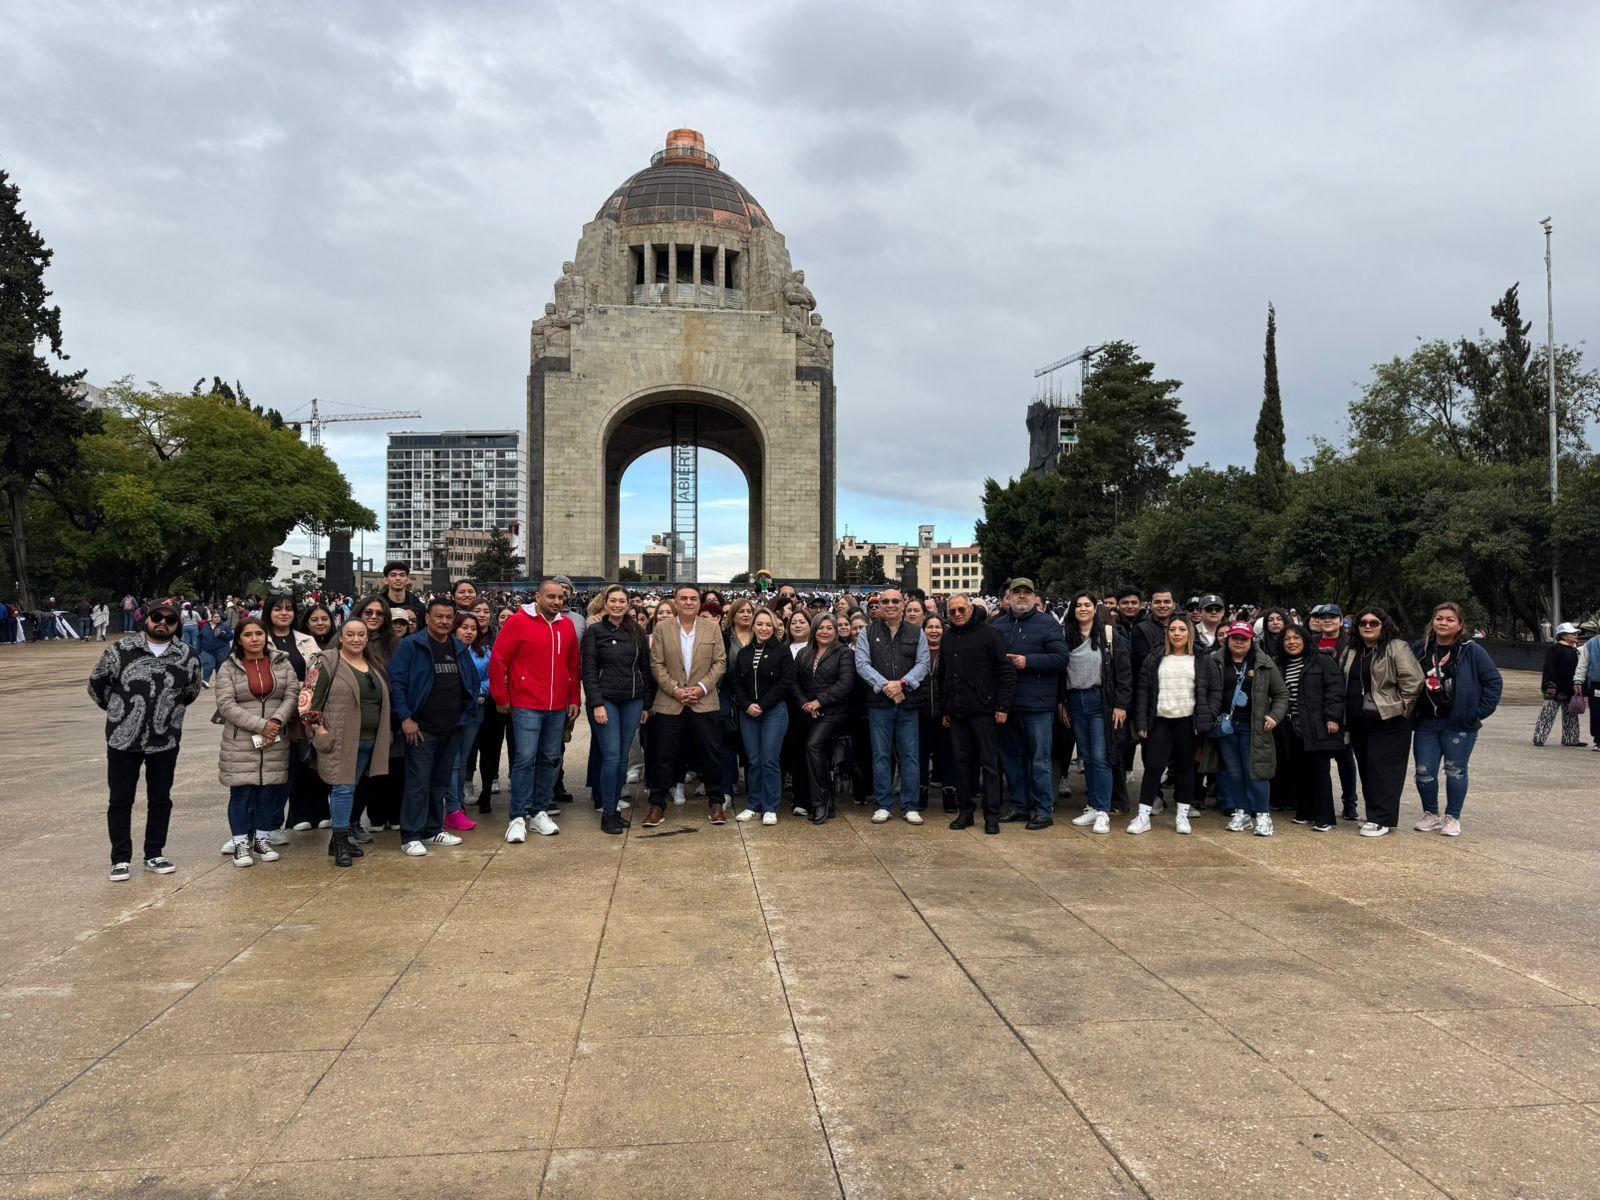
(855, 1010)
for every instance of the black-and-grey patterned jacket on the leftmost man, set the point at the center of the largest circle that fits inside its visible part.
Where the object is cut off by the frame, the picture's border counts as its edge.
(145, 695)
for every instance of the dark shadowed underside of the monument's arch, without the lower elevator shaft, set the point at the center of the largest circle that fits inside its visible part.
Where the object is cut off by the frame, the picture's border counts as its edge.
(644, 422)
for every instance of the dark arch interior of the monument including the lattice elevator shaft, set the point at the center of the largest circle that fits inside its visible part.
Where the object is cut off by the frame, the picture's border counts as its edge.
(657, 422)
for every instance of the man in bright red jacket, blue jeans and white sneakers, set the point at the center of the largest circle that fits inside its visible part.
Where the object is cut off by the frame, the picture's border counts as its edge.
(535, 676)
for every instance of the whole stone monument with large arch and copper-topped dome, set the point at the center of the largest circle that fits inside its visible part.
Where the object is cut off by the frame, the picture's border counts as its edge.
(681, 324)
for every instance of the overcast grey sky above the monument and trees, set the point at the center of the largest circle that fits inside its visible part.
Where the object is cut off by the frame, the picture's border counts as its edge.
(369, 202)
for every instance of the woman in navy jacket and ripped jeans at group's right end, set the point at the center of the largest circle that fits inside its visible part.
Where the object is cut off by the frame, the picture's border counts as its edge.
(1462, 689)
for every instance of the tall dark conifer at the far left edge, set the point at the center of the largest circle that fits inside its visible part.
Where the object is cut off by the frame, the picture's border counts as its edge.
(41, 414)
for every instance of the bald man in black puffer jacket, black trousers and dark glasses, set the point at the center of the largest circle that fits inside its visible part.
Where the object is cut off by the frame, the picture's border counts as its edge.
(977, 687)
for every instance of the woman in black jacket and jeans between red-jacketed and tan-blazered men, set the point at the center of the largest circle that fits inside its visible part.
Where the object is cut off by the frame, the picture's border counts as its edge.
(615, 662)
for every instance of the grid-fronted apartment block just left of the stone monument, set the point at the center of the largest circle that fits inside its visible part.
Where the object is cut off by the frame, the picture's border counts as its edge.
(468, 479)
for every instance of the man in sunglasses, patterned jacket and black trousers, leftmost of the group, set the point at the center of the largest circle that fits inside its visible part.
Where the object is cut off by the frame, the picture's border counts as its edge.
(145, 684)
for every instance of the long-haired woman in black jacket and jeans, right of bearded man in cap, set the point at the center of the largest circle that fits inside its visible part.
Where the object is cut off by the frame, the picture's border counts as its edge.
(1097, 698)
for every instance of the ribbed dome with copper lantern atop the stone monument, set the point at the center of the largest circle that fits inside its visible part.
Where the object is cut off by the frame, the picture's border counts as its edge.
(684, 183)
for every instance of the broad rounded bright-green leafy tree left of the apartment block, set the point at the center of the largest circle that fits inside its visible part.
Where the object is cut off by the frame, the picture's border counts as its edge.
(188, 487)
